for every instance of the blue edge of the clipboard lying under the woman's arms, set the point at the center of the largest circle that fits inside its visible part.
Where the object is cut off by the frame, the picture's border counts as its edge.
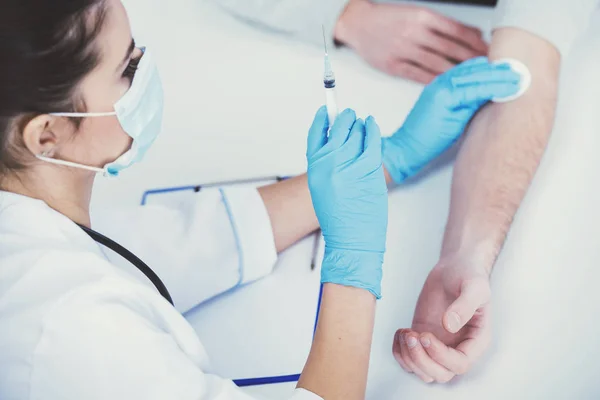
(267, 380)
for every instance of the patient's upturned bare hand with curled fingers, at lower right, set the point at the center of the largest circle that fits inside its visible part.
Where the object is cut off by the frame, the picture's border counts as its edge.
(451, 326)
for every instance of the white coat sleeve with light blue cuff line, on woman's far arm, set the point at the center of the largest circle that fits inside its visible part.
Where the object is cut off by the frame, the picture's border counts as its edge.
(207, 244)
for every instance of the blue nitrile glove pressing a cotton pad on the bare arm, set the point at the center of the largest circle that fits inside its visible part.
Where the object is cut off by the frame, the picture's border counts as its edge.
(442, 113)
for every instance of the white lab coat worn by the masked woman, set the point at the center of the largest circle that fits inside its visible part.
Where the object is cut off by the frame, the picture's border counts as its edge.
(75, 324)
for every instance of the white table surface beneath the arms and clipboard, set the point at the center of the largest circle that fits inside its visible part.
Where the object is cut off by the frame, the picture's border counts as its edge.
(239, 102)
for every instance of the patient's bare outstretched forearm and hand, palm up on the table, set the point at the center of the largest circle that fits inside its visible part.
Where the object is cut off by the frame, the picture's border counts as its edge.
(504, 144)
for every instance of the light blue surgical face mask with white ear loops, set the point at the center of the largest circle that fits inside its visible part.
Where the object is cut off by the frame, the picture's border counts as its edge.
(139, 112)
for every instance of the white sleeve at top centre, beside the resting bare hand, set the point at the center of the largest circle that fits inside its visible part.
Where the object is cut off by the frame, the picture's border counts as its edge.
(300, 18)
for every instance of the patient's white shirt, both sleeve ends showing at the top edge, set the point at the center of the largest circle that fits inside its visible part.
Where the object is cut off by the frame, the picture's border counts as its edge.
(558, 21)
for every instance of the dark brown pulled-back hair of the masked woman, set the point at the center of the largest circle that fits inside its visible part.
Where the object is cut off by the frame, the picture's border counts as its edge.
(46, 49)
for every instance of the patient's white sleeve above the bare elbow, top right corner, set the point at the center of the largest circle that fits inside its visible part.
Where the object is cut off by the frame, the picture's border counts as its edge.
(558, 21)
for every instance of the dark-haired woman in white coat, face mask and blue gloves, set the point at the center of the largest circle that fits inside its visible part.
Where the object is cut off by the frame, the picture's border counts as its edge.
(77, 97)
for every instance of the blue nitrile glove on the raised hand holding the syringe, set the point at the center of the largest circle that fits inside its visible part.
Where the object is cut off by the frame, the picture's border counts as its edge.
(349, 194)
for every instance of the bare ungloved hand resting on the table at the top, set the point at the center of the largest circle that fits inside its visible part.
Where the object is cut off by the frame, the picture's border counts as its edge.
(406, 40)
